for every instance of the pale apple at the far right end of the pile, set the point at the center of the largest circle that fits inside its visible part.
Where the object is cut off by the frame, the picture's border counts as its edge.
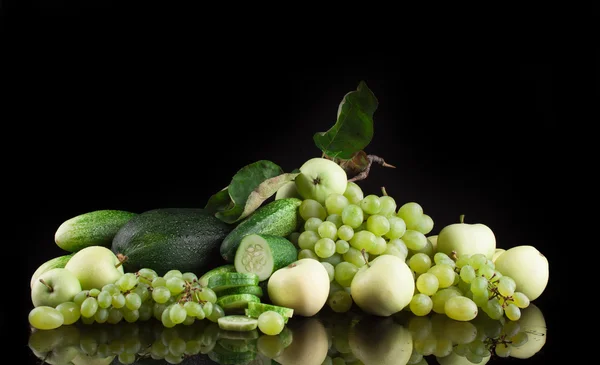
(527, 267)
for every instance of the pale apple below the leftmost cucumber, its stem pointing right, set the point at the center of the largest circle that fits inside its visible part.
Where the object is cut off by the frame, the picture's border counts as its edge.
(95, 266)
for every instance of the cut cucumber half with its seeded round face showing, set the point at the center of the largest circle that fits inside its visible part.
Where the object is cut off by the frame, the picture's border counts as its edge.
(263, 254)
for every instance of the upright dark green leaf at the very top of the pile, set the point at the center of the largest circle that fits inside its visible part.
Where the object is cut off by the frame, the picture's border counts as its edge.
(353, 129)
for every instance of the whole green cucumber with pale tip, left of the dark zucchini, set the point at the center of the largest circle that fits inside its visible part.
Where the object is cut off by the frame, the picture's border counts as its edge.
(96, 228)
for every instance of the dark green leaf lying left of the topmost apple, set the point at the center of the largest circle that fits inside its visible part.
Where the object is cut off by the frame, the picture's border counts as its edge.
(230, 203)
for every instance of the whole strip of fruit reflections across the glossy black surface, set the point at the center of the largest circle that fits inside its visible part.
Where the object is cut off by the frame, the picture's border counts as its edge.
(328, 338)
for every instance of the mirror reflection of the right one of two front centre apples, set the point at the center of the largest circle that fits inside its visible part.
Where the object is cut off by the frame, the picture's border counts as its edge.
(380, 341)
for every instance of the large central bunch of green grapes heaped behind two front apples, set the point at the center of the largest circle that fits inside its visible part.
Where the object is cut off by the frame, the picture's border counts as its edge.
(350, 229)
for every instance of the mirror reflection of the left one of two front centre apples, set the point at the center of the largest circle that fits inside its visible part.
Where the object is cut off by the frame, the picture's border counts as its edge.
(310, 342)
